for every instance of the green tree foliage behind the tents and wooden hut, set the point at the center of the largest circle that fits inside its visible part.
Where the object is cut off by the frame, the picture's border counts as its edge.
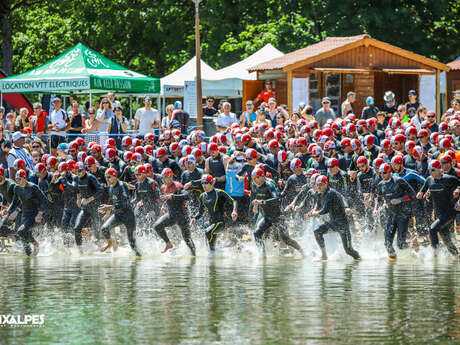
(157, 37)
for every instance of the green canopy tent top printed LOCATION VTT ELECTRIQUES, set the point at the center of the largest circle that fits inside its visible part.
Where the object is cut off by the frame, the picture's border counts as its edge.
(80, 70)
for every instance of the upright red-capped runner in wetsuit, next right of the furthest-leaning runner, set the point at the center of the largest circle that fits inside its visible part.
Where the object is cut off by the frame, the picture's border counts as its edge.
(394, 195)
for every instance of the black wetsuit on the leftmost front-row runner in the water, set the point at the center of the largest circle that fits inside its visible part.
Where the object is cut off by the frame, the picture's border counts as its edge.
(32, 201)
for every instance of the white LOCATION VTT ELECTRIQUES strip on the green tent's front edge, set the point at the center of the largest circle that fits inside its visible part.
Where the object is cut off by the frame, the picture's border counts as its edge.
(40, 85)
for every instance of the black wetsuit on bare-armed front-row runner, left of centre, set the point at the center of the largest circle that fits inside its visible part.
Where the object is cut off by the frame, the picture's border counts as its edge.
(176, 214)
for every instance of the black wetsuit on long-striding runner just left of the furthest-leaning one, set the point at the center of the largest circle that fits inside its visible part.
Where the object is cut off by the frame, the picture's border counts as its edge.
(269, 213)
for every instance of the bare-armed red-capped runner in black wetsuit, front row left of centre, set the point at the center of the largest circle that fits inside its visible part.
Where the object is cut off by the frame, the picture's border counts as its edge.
(174, 195)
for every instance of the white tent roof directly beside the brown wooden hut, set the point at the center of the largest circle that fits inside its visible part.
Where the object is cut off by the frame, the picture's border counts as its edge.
(240, 69)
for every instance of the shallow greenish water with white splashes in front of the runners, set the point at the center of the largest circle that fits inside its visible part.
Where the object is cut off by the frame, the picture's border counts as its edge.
(235, 297)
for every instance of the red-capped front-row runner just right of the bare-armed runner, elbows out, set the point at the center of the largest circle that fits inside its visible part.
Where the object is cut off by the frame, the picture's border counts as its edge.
(214, 201)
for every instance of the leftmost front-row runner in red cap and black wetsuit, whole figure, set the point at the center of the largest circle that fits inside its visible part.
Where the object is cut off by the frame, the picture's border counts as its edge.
(32, 203)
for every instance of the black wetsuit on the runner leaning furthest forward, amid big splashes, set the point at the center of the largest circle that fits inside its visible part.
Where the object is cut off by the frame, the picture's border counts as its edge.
(334, 204)
